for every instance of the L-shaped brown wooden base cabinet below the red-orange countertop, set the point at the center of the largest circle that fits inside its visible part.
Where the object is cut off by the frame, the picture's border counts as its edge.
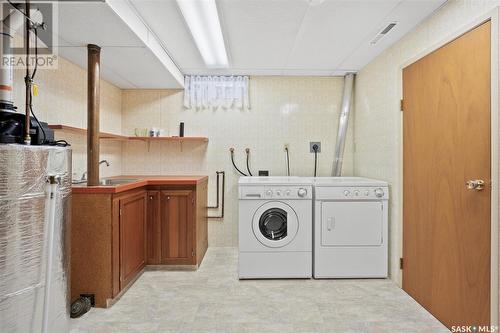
(115, 235)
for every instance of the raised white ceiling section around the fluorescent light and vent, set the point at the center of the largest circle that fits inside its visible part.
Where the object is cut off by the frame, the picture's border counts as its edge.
(289, 37)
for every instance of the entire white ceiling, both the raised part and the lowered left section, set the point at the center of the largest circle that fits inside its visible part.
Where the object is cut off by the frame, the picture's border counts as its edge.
(147, 44)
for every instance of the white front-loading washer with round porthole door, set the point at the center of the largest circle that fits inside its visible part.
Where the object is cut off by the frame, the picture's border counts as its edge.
(275, 227)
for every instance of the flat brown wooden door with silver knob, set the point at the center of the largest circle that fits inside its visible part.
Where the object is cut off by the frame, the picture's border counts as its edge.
(446, 133)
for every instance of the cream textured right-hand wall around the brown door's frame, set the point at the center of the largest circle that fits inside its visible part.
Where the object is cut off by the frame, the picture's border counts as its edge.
(377, 119)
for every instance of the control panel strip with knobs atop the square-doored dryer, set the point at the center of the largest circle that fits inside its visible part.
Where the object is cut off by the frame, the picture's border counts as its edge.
(352, 193)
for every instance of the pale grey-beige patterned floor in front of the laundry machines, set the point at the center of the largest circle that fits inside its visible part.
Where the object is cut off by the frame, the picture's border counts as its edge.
(212, 299)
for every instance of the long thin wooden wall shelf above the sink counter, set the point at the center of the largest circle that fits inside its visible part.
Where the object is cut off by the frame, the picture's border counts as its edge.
(118, 137)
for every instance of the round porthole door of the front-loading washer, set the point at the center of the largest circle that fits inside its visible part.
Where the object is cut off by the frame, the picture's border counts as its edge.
(275, 224)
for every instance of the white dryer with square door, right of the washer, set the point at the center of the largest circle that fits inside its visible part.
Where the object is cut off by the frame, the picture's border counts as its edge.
(350, 228)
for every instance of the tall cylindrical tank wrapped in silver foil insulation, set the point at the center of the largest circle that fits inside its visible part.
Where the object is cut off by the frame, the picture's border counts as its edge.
(35, 216)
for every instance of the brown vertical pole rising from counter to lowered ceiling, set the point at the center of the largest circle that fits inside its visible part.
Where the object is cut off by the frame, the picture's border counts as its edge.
(93, 97)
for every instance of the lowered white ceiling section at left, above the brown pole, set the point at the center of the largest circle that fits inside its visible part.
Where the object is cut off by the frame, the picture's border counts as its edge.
(131, 56)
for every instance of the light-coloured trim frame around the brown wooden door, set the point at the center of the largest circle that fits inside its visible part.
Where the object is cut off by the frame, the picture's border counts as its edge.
(492, 15)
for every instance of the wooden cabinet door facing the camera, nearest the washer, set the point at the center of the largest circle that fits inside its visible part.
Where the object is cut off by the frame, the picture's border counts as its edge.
(177, 227)
